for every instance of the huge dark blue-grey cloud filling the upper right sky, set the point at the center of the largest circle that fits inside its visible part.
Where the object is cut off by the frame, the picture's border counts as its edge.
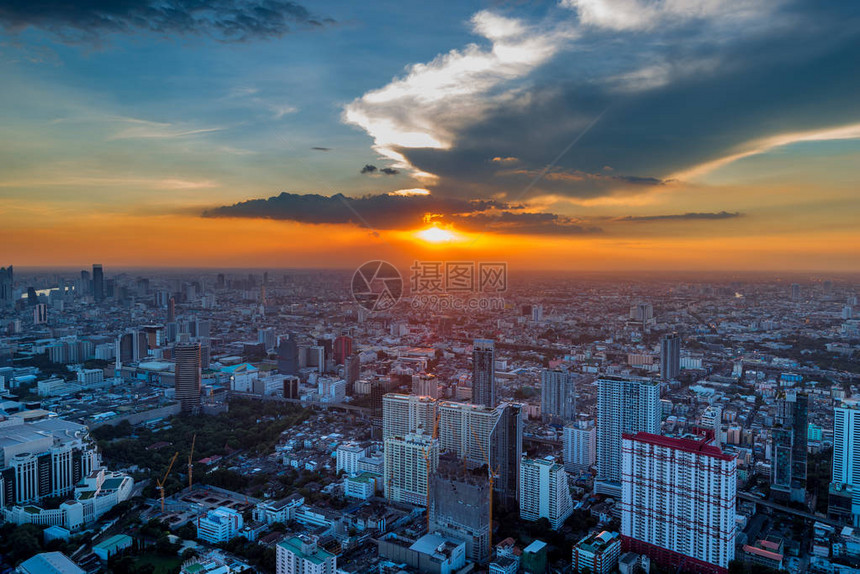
(668, 104)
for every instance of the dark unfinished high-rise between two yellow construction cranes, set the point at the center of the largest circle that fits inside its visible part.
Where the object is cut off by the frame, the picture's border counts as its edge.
(460, 508)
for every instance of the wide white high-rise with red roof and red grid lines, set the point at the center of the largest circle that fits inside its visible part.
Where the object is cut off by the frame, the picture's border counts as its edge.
(678, 502)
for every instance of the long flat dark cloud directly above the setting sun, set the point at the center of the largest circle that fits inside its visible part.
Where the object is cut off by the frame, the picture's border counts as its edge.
(389, 211)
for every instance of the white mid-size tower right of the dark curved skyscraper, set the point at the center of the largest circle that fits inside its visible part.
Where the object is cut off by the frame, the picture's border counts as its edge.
(544, 492)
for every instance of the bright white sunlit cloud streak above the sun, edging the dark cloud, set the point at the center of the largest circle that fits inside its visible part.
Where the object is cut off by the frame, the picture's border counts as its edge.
(432, 102)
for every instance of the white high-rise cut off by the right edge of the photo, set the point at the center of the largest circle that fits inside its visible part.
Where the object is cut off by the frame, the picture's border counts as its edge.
(845, 481)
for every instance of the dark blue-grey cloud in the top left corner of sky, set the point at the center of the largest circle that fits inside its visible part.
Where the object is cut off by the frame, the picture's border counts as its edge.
(226, 20)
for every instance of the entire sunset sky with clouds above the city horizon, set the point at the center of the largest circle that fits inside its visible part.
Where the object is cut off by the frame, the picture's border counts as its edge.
(569, 134)
